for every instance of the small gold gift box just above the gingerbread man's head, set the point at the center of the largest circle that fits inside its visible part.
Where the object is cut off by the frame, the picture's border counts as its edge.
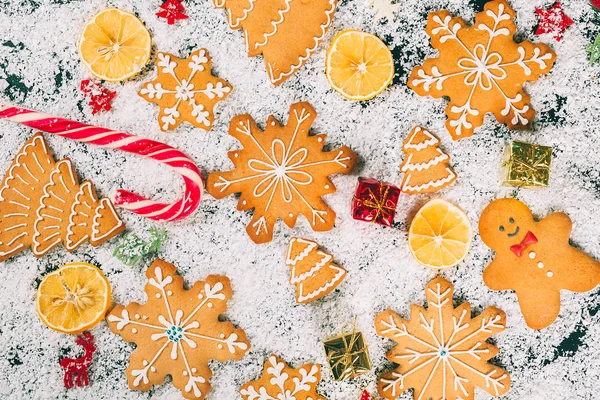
(527, 164)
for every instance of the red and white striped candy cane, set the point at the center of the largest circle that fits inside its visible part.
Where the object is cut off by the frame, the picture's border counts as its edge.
(132, 144)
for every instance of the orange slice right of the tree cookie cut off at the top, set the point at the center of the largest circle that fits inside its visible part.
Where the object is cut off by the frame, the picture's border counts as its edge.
(359, 65)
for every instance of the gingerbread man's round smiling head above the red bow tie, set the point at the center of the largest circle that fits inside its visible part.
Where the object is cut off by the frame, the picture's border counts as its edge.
(505, 222)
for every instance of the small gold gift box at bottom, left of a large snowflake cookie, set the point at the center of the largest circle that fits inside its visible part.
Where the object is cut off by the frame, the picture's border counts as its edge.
(347, 354)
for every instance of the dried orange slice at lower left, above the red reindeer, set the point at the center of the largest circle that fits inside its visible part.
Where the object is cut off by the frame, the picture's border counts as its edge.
(73, 298)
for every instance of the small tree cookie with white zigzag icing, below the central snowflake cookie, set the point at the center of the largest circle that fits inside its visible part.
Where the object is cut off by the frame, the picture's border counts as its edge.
(313, 272)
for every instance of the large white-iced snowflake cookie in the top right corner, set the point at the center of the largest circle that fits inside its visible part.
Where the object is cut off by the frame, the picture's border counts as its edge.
(481, 69)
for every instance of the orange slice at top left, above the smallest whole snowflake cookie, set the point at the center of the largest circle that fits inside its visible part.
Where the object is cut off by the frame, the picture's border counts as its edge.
(114, 45)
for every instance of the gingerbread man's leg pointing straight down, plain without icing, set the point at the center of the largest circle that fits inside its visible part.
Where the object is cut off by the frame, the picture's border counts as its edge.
(540, 306)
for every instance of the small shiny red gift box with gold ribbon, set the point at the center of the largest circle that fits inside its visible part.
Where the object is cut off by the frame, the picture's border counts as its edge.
(375, 201)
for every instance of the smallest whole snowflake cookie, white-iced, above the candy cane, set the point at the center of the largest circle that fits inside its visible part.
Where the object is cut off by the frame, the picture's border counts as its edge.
(185, 90)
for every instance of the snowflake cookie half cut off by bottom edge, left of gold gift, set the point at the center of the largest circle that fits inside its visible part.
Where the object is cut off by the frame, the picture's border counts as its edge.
(280, 382)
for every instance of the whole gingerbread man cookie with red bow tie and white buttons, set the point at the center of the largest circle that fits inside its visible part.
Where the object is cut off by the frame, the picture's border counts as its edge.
(534, 258)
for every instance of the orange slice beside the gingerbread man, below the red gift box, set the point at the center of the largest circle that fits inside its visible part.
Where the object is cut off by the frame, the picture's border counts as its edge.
(440, 235)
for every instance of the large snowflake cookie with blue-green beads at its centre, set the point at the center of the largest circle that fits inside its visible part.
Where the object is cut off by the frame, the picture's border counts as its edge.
(178, 331)
